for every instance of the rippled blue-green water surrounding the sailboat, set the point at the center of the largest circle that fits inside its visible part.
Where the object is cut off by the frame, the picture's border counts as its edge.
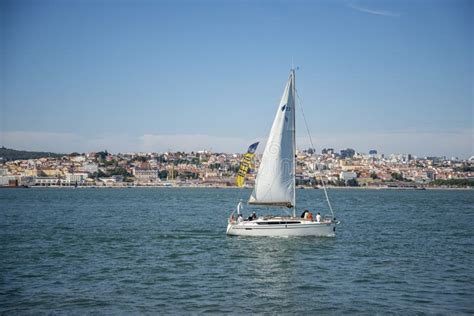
(165, 251)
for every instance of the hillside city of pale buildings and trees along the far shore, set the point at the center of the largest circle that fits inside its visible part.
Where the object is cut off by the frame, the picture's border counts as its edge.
(208, 169)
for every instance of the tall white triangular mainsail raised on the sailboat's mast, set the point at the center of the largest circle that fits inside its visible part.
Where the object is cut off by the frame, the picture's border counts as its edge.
(275, 183)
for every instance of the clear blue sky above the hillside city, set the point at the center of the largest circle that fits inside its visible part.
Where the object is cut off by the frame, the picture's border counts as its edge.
(395, 76)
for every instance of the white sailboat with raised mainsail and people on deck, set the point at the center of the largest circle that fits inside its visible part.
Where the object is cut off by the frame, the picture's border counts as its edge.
(275, 183)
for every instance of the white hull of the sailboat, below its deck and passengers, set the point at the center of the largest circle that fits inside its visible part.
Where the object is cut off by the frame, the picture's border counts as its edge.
(261, 227)
